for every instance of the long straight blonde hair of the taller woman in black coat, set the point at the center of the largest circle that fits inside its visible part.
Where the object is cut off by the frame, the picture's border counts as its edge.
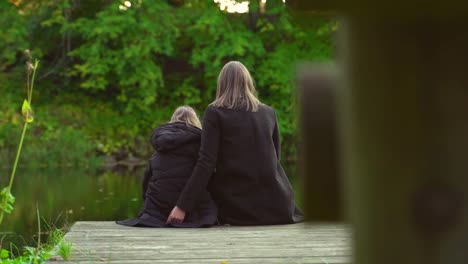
(236, 88)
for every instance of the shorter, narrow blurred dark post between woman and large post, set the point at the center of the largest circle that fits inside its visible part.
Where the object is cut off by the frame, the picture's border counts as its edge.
(322, 187)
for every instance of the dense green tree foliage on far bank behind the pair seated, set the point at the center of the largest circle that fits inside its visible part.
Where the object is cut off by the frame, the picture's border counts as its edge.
(110, 74)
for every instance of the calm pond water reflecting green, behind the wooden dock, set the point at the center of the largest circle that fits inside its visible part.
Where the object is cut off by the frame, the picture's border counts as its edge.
(66, 195)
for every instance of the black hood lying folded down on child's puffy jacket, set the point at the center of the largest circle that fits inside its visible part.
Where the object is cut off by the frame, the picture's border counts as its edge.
(174, 135)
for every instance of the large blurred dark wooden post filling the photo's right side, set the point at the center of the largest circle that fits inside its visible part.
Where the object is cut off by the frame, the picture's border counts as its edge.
(403, 124)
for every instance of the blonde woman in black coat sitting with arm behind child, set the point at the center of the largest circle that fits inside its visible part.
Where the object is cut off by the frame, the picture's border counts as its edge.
(241, 141)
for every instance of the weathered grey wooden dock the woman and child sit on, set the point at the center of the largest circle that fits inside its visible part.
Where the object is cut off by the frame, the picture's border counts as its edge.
(107, 242)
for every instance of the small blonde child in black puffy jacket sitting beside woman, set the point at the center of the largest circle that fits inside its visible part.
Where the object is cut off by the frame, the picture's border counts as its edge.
(176, 146)
